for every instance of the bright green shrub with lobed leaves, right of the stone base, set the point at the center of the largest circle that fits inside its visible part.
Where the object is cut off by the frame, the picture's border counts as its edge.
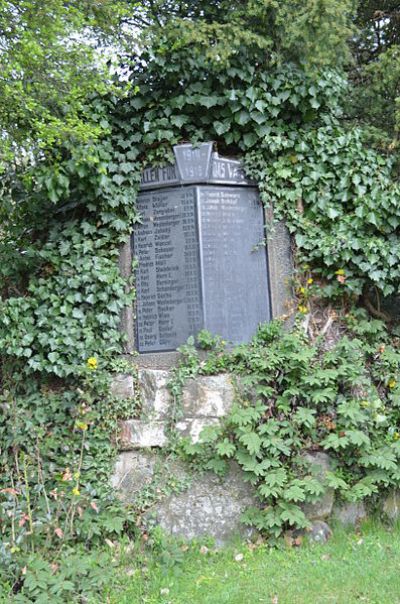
(293, 397)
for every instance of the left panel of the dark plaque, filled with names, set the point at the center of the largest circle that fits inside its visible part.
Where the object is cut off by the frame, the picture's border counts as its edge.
(166, 244)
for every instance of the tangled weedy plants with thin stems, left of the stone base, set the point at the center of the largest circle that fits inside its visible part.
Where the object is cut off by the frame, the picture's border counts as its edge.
(56, 459)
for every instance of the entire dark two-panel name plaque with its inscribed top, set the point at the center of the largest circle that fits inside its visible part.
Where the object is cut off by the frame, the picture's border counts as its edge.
(200, 262)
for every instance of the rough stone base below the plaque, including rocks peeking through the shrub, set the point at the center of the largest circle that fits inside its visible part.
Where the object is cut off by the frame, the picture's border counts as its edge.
(186, 502)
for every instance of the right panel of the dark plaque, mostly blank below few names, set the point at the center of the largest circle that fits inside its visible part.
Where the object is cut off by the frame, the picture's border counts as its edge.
(234, 264)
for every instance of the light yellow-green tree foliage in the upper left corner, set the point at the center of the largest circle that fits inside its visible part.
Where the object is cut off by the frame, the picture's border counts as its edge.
(49, 65)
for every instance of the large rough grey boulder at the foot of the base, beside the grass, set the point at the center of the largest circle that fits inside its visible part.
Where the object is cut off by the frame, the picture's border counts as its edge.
(210, 507)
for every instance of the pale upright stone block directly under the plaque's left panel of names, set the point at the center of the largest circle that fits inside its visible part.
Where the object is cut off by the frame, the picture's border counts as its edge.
(155, 396)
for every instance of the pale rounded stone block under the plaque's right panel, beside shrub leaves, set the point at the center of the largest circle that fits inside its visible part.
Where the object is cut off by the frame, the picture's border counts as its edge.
(208, 396)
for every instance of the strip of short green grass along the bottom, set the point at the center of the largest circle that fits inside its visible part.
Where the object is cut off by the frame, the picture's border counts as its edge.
(350, 568)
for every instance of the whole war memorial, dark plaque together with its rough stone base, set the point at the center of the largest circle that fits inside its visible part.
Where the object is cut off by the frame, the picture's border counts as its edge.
(202, 262)
